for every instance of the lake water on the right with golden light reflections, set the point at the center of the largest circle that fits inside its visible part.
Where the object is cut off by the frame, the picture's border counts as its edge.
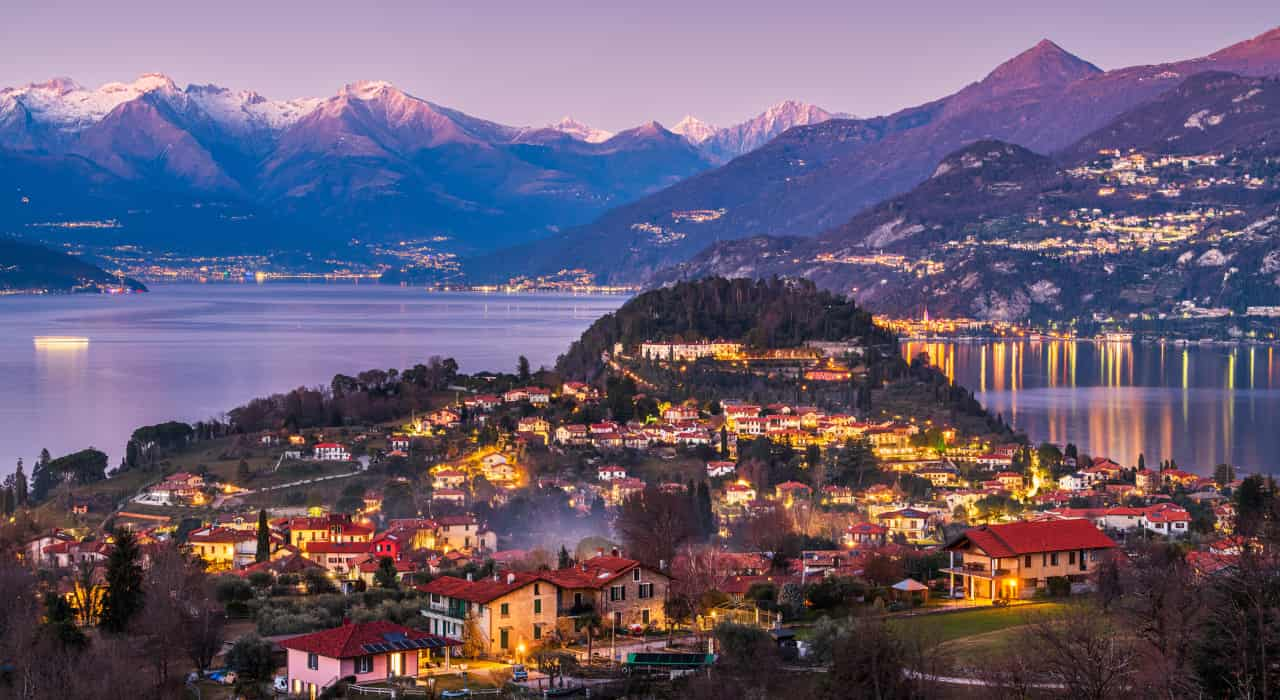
(1199, 405)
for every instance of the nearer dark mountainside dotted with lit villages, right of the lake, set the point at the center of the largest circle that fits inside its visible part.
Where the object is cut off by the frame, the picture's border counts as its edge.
(1171, 211)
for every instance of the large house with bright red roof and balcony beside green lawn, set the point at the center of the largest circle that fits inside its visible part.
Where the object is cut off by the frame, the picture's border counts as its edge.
(1018, 560)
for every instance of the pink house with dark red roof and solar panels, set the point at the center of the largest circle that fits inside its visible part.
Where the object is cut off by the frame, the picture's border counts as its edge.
(371, 652)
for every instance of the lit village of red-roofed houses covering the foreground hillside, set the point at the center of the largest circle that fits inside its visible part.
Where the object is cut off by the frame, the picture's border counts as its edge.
(528, 533)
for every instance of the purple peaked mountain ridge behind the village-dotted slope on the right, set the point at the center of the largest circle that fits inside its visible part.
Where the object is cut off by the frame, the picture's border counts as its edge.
(819, 177)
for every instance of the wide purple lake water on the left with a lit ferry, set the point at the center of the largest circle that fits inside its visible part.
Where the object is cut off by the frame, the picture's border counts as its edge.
(190, 353)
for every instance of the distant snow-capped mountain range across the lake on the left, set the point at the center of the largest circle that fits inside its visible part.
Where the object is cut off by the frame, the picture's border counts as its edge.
(371, 163)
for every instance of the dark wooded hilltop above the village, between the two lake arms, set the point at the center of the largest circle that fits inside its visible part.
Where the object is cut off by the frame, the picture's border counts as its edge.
(764, 314)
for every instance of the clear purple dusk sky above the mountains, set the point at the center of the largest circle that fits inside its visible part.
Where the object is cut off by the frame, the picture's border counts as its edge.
(610, 65)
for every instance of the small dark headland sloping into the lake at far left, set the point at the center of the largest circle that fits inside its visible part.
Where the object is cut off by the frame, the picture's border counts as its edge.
(26, 267)
